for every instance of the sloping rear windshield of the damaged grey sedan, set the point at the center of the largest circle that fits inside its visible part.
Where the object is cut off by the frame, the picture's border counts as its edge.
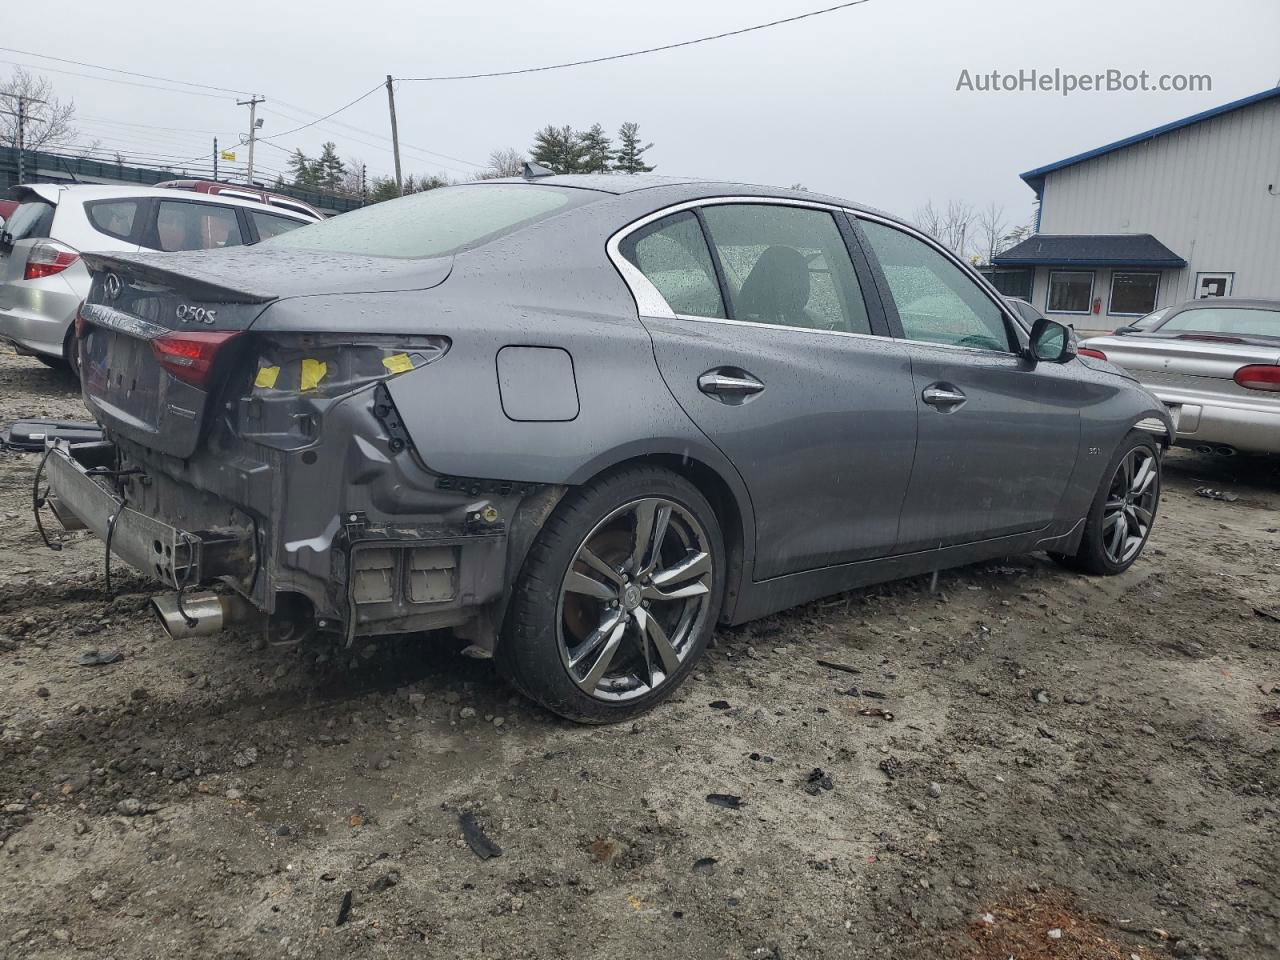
(437, 222)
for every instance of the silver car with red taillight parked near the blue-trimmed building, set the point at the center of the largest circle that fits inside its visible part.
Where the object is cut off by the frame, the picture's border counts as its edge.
(1215, 364)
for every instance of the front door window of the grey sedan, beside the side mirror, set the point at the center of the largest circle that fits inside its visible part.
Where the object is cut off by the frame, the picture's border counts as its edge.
(938, 303)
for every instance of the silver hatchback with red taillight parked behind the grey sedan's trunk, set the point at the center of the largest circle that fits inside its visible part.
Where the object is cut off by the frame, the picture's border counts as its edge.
(44, 278)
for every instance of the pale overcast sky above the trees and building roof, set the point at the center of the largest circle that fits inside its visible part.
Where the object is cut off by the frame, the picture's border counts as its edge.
(860, 103)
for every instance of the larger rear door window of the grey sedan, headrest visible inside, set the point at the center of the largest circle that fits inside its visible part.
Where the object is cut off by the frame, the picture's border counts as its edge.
(787, 266)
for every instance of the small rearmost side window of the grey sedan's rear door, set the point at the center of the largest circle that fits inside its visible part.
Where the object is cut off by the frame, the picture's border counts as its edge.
(673, 255)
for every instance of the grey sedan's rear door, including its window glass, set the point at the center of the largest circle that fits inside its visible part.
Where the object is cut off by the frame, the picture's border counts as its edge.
(762, 332)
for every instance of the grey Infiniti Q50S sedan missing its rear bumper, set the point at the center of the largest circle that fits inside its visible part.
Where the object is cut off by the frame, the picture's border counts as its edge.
(580, 420)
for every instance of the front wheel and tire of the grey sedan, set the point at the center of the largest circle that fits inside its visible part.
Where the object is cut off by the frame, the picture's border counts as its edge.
(1123, 513)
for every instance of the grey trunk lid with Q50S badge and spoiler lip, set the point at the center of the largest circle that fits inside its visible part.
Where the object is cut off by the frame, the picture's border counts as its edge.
(139, 300)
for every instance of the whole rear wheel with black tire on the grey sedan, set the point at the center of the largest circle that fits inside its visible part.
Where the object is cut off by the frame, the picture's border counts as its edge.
(618, 598)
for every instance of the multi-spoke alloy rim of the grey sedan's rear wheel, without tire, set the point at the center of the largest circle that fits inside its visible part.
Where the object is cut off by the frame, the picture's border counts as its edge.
(634, 600)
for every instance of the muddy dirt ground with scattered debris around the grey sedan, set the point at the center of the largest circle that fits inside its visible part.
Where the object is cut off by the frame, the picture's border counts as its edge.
(1076, 769)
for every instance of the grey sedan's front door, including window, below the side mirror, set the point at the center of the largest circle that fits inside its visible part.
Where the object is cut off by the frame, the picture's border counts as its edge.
(998, 435)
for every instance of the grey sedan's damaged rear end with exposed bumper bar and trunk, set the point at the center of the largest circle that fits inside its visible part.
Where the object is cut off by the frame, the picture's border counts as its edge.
(252, 444)
